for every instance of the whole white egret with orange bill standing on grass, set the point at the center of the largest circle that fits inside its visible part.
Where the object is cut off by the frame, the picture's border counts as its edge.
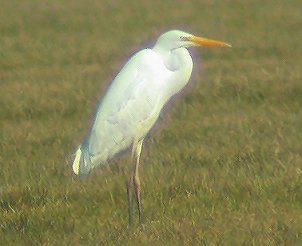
(133, 103)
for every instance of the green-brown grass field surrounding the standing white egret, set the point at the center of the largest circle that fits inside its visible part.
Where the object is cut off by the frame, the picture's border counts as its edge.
(224, 167)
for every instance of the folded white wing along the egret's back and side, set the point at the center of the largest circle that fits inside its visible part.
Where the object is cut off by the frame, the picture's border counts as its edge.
(129, 108)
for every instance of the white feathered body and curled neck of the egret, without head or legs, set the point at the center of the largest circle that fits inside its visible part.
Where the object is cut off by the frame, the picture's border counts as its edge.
(133, 103)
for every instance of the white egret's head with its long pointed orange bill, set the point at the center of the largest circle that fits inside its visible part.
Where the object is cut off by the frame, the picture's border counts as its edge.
(178, 39)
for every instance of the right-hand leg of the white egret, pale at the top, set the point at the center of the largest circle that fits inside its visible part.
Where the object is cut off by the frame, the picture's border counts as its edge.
(136, 179)
